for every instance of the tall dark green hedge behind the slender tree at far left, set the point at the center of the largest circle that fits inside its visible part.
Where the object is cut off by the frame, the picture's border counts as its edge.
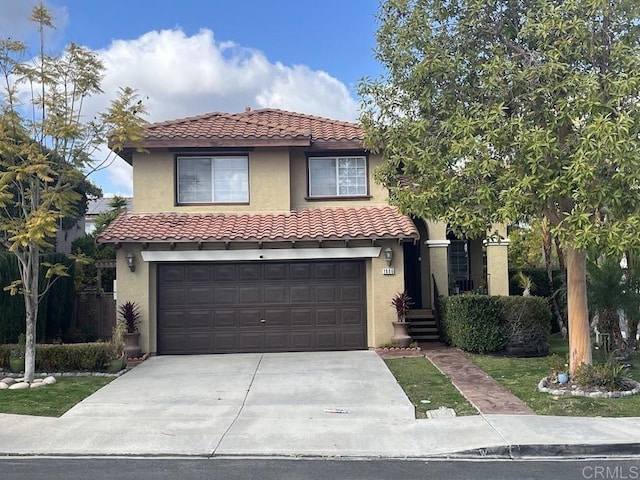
(55, 310)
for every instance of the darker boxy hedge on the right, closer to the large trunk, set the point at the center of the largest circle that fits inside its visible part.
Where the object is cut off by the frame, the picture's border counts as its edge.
(526, 325)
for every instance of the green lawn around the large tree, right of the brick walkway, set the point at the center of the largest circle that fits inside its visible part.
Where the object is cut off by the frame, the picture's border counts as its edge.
(521, 376)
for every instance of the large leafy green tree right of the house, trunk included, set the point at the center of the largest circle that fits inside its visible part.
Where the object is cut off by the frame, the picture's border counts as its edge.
(493, 111)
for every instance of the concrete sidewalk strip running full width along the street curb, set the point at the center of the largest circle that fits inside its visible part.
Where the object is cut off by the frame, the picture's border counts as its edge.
(319, 434)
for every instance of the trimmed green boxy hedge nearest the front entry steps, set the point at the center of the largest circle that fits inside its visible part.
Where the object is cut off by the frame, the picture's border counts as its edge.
(472, 323)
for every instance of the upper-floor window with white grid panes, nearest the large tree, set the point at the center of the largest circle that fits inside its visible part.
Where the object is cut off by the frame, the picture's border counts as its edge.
(337, 176)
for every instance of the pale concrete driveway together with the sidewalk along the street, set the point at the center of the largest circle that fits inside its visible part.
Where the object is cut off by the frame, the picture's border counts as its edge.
(353, 408)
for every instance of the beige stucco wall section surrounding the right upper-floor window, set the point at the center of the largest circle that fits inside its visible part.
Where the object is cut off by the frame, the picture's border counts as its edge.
(299, 185)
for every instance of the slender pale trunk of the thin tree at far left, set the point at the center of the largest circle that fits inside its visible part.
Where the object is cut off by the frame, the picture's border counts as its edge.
(30, 279)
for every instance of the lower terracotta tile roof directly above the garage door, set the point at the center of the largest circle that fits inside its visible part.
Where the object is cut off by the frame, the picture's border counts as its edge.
(337, 223)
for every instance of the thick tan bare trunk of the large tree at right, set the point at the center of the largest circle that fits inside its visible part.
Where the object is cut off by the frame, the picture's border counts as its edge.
(579, 334)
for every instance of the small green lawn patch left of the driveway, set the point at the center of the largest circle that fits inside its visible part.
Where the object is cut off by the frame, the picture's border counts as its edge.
(52, 400)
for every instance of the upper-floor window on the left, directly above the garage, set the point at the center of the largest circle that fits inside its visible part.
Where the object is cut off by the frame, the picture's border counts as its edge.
(213, 179)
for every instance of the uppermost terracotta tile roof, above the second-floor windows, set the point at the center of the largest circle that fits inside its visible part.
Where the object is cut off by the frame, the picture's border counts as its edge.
(253, 125)
